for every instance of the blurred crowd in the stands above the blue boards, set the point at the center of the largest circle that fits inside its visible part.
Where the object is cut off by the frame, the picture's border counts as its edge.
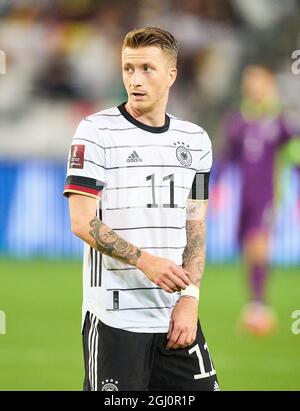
(63, 61)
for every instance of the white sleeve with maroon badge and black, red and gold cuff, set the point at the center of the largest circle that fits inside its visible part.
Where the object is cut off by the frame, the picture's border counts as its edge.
(86, 161)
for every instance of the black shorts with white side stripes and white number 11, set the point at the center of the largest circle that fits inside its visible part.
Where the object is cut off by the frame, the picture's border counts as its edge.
(119, 360)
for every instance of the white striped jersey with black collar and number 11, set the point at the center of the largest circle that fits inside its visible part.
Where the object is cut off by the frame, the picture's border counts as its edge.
(145, 175)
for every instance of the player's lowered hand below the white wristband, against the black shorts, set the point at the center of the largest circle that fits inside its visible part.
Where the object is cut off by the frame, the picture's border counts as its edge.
(183, 325)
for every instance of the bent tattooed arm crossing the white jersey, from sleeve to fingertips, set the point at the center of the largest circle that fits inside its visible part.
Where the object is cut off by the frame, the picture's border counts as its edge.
(163, 272)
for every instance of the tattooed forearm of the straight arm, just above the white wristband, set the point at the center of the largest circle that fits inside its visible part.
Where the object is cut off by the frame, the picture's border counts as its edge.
(193, 257)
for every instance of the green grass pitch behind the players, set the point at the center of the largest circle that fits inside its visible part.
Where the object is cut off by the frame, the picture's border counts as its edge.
(42, 350)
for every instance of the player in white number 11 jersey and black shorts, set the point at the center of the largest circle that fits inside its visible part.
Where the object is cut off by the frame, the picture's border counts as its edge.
(137, 184)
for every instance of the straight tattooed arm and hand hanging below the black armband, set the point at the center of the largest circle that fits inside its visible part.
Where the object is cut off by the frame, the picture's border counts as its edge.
(183, 325)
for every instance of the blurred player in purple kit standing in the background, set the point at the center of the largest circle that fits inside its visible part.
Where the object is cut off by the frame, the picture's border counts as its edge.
(253, 137)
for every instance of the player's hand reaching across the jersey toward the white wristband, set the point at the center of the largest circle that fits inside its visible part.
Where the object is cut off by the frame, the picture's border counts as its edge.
(163, 272)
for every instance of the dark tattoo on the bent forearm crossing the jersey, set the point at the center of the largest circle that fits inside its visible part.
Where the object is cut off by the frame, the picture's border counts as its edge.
(110, 243)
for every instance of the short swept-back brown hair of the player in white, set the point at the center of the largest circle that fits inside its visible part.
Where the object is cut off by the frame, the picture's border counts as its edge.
(152, 36)
